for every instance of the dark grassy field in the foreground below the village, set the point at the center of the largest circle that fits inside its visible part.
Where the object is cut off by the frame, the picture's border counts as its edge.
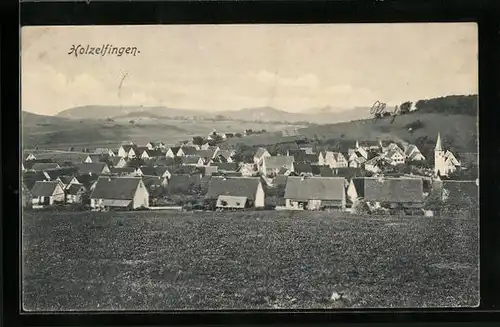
(255, 260)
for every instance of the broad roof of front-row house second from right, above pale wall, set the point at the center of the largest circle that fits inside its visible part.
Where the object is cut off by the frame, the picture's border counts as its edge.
(315, 188)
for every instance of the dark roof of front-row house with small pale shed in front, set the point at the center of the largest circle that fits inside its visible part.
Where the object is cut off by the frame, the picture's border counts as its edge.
(234, 186)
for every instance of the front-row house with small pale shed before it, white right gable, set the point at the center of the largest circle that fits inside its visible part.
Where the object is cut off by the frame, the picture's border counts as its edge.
(247, 190)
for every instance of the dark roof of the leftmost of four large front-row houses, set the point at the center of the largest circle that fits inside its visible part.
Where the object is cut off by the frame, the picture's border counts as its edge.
(116, 188)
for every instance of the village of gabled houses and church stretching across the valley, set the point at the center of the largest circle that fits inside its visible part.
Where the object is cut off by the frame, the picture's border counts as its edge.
(205, 173)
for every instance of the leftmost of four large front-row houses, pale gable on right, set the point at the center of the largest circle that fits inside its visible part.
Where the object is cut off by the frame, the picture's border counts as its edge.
(119, 192)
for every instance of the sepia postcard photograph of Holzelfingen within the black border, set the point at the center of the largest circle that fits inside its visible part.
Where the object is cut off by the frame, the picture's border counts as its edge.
(249, 167)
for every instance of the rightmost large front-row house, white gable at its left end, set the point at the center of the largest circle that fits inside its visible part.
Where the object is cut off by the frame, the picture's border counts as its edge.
(395, 192)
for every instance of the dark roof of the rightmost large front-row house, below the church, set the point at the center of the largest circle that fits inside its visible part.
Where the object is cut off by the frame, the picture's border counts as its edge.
(390, 189)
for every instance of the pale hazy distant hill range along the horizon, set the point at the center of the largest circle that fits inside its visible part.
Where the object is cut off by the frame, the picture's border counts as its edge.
(264, 114)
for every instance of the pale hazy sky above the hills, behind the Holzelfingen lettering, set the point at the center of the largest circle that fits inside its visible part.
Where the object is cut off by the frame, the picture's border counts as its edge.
(225, 67)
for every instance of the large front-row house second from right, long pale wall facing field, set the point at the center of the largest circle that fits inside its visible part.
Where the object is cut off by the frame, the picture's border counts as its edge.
(315, 193)
